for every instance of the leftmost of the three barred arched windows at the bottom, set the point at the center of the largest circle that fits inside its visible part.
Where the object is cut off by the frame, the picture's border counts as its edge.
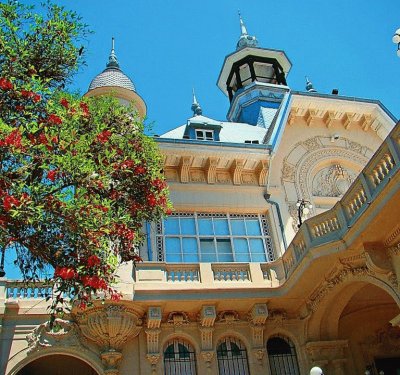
(179, 358)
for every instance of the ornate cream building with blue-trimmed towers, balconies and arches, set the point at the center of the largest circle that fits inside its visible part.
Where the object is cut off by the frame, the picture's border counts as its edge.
(283, 251)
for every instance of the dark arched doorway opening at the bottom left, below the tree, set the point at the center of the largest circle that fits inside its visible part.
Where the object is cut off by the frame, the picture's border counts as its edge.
(57, 364)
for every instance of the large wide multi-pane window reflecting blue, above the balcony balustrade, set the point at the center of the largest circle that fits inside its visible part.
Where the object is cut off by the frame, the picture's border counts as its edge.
(200, 237)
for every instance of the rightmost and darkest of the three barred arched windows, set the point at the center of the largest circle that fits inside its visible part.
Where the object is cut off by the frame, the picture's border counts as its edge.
(282, 356)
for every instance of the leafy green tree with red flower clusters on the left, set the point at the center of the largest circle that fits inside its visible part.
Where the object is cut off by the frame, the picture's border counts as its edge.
(78, 177)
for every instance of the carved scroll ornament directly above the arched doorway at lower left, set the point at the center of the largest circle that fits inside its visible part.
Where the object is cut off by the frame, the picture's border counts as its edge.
(64, 333)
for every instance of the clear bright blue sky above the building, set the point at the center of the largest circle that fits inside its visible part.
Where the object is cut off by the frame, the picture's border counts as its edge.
(167, 47)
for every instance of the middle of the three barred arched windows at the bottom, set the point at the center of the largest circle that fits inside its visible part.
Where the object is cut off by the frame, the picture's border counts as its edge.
(232, 357)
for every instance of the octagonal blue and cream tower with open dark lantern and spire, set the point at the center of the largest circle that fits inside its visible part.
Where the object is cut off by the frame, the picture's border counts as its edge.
(254, 79)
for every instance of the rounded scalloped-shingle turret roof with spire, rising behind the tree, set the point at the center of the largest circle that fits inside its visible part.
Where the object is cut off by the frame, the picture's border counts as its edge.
(113, 81)
